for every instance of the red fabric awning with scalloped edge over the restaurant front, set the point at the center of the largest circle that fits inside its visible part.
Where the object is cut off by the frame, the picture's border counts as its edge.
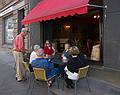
(51, 9)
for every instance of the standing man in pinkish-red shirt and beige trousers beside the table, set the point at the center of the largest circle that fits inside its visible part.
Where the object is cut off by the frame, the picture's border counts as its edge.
(18, 50)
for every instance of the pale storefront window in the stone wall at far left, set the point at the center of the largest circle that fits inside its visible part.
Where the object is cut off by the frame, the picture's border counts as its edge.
(9, 28)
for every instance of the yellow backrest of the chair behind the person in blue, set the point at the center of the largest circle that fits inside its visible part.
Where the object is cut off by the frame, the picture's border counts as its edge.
(40, 74)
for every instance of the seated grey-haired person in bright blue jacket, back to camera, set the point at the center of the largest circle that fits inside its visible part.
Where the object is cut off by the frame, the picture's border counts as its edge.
(41, 62)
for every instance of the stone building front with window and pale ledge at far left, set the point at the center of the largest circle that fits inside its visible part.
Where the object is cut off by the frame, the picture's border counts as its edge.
(11, 14)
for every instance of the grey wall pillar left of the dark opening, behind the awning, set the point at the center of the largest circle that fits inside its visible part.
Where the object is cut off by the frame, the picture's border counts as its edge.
(36, 36)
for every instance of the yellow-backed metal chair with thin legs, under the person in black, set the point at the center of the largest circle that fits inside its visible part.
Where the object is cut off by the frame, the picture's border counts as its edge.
(82, 74)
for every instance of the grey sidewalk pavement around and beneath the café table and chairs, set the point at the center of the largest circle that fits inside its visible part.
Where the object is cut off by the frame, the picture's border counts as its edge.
(103, 81)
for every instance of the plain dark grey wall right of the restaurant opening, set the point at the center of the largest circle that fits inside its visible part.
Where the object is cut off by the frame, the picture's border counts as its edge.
(111, 34)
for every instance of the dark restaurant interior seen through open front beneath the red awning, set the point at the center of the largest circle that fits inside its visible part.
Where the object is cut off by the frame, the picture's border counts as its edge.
(82, 30)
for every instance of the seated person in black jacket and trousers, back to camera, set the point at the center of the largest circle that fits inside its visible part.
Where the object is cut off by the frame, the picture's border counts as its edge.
(78, 60)
